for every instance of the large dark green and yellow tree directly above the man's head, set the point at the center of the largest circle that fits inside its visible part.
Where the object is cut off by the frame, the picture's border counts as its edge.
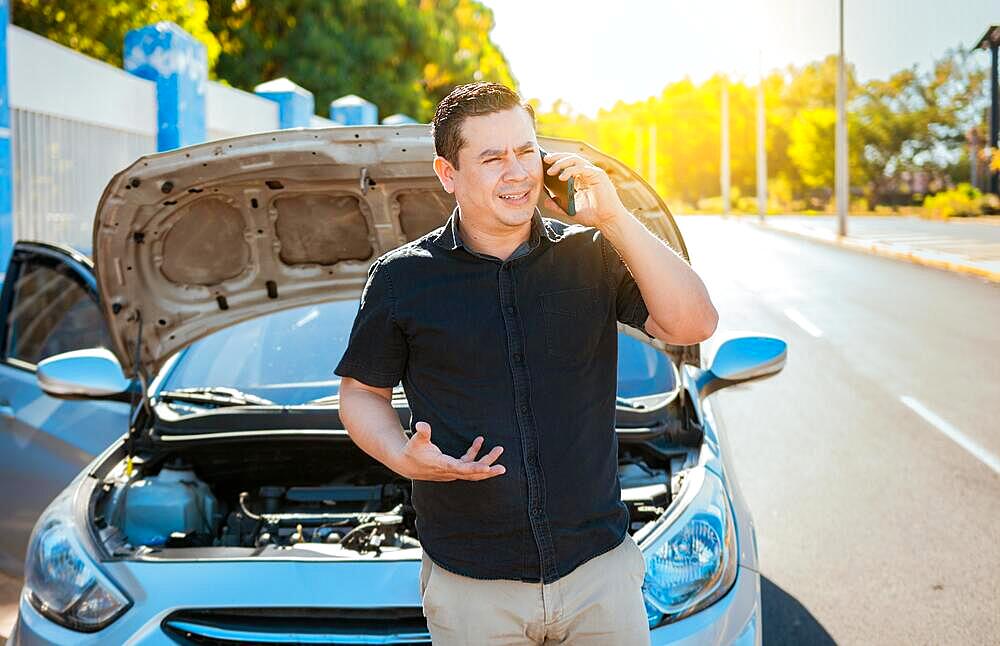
(401, 55)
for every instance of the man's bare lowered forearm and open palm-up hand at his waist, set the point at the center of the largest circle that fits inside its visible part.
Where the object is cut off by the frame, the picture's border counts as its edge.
(374, 426)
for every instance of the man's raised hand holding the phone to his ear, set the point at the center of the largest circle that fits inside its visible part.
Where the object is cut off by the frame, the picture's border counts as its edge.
(595, 197)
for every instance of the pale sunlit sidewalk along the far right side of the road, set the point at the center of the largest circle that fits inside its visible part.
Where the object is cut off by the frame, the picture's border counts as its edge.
(968, 246)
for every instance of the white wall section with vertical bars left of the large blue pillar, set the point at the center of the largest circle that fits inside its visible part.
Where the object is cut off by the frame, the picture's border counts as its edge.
(74, 122)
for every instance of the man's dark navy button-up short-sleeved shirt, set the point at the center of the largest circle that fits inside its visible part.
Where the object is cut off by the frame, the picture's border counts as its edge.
(524, 352)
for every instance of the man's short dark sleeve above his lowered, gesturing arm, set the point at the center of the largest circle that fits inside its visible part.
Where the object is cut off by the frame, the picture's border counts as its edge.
(376, 350)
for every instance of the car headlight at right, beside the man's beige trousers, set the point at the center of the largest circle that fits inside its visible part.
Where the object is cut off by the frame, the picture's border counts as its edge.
(692, 557)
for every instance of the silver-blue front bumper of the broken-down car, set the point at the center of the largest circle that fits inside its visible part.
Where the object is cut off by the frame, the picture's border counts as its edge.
(734, 619)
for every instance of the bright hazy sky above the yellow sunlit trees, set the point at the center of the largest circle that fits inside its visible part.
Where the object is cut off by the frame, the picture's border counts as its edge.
(592, 54)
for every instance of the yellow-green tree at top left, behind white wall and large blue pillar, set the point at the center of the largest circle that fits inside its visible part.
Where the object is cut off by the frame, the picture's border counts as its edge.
(98, 27)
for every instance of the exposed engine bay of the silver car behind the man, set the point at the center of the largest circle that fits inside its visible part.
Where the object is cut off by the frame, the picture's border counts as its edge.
(271, 497)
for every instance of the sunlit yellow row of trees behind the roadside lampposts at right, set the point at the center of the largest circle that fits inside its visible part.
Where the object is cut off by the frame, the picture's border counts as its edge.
(913, 122)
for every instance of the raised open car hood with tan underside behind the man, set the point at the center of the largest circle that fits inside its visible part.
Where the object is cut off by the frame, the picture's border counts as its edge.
(192, 240)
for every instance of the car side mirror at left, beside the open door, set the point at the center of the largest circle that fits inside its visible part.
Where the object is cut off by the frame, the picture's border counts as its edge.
(93, 373)
